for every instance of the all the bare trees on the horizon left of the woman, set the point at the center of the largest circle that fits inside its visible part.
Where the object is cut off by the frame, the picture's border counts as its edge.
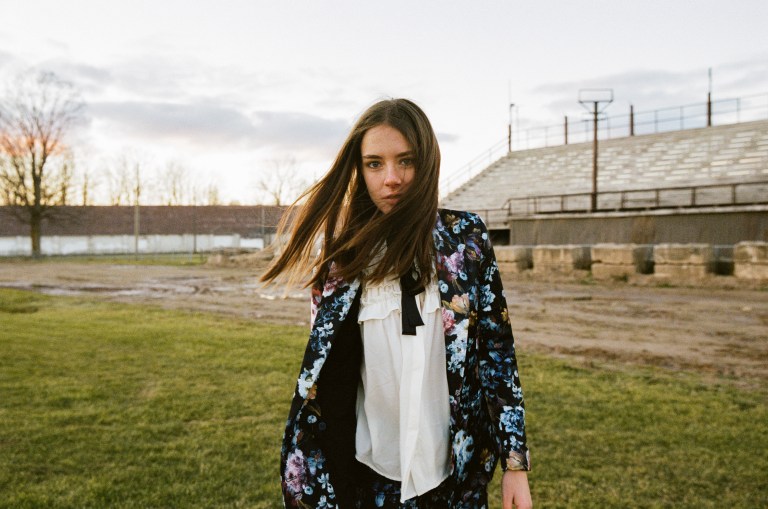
(39, 170)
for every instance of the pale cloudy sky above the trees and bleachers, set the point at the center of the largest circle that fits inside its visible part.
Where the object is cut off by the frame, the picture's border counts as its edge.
(233, 91)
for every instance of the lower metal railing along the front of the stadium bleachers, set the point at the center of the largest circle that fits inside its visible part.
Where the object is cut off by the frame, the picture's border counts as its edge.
(710, 195)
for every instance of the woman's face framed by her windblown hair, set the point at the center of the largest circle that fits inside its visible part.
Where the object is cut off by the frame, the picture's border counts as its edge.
(388, 165)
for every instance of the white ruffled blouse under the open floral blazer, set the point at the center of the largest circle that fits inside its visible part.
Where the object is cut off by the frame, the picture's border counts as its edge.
(403, 414)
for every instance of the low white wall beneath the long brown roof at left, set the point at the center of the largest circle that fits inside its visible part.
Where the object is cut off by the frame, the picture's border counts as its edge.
(125, 244)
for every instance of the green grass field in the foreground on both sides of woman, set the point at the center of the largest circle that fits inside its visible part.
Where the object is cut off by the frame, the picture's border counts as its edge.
(108, 405)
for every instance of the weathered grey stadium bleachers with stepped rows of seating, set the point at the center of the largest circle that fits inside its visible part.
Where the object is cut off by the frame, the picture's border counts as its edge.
(727, 154)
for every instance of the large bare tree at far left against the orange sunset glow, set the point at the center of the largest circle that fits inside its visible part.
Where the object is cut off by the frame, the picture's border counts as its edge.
(36, 112)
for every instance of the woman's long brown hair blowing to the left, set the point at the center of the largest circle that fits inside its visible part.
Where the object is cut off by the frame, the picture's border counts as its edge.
(353, 228)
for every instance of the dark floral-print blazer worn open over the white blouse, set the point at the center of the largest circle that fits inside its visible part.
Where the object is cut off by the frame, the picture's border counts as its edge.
(486, 400)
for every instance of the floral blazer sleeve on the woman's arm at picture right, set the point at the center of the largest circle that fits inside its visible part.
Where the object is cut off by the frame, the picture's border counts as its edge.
(497, 362)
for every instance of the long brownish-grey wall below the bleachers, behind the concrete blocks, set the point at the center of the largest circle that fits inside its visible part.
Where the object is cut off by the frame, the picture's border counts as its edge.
(717, 228)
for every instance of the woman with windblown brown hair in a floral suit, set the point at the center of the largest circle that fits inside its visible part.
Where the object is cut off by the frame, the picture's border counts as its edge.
(408, 393)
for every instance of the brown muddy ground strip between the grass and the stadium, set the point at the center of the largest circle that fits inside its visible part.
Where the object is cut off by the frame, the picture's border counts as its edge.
(717, 327)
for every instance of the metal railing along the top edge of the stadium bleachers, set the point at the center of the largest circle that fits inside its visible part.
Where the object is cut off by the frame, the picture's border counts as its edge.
(678, 118)
